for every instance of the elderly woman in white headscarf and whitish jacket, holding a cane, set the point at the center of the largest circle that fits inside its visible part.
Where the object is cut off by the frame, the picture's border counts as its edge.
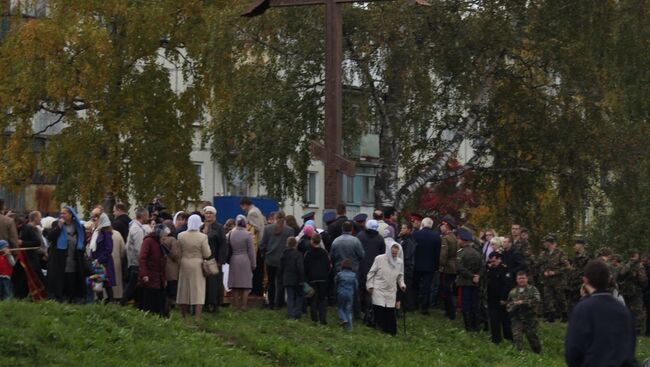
(385, 275)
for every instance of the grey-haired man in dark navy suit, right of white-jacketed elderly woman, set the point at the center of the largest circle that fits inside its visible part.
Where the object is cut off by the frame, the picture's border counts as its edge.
(427, 260)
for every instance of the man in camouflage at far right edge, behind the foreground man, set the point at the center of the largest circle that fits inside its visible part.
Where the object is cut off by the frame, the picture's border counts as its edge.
(632, 280)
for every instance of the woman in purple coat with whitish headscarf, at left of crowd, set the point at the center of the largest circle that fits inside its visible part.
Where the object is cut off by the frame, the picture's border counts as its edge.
(101, 249)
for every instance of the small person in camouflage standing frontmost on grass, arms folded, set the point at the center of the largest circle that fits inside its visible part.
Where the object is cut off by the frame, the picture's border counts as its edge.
(521, 305)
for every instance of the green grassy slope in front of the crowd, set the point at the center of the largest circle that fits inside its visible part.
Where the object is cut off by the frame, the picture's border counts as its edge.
(54, 334)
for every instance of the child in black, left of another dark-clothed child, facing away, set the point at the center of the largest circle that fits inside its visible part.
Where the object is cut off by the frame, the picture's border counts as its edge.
(292, 275)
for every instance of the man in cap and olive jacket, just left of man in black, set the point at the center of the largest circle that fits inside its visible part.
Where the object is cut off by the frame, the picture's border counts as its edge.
(470, 267)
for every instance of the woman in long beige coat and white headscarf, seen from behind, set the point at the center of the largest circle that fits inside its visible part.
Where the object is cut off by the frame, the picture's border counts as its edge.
(191, 281)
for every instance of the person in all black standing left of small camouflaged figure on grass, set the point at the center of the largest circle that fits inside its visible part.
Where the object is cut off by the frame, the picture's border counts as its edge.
(498, 287)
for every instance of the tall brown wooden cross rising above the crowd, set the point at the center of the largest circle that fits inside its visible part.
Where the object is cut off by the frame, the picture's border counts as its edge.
(330, 152)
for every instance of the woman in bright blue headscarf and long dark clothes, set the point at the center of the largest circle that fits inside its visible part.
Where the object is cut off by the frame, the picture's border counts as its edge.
(66, 266)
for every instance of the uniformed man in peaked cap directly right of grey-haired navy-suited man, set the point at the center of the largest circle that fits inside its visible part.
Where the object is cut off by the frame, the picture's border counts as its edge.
(448, 265)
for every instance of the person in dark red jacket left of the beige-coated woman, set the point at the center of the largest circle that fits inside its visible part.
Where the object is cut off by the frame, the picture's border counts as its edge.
(152, 263)
